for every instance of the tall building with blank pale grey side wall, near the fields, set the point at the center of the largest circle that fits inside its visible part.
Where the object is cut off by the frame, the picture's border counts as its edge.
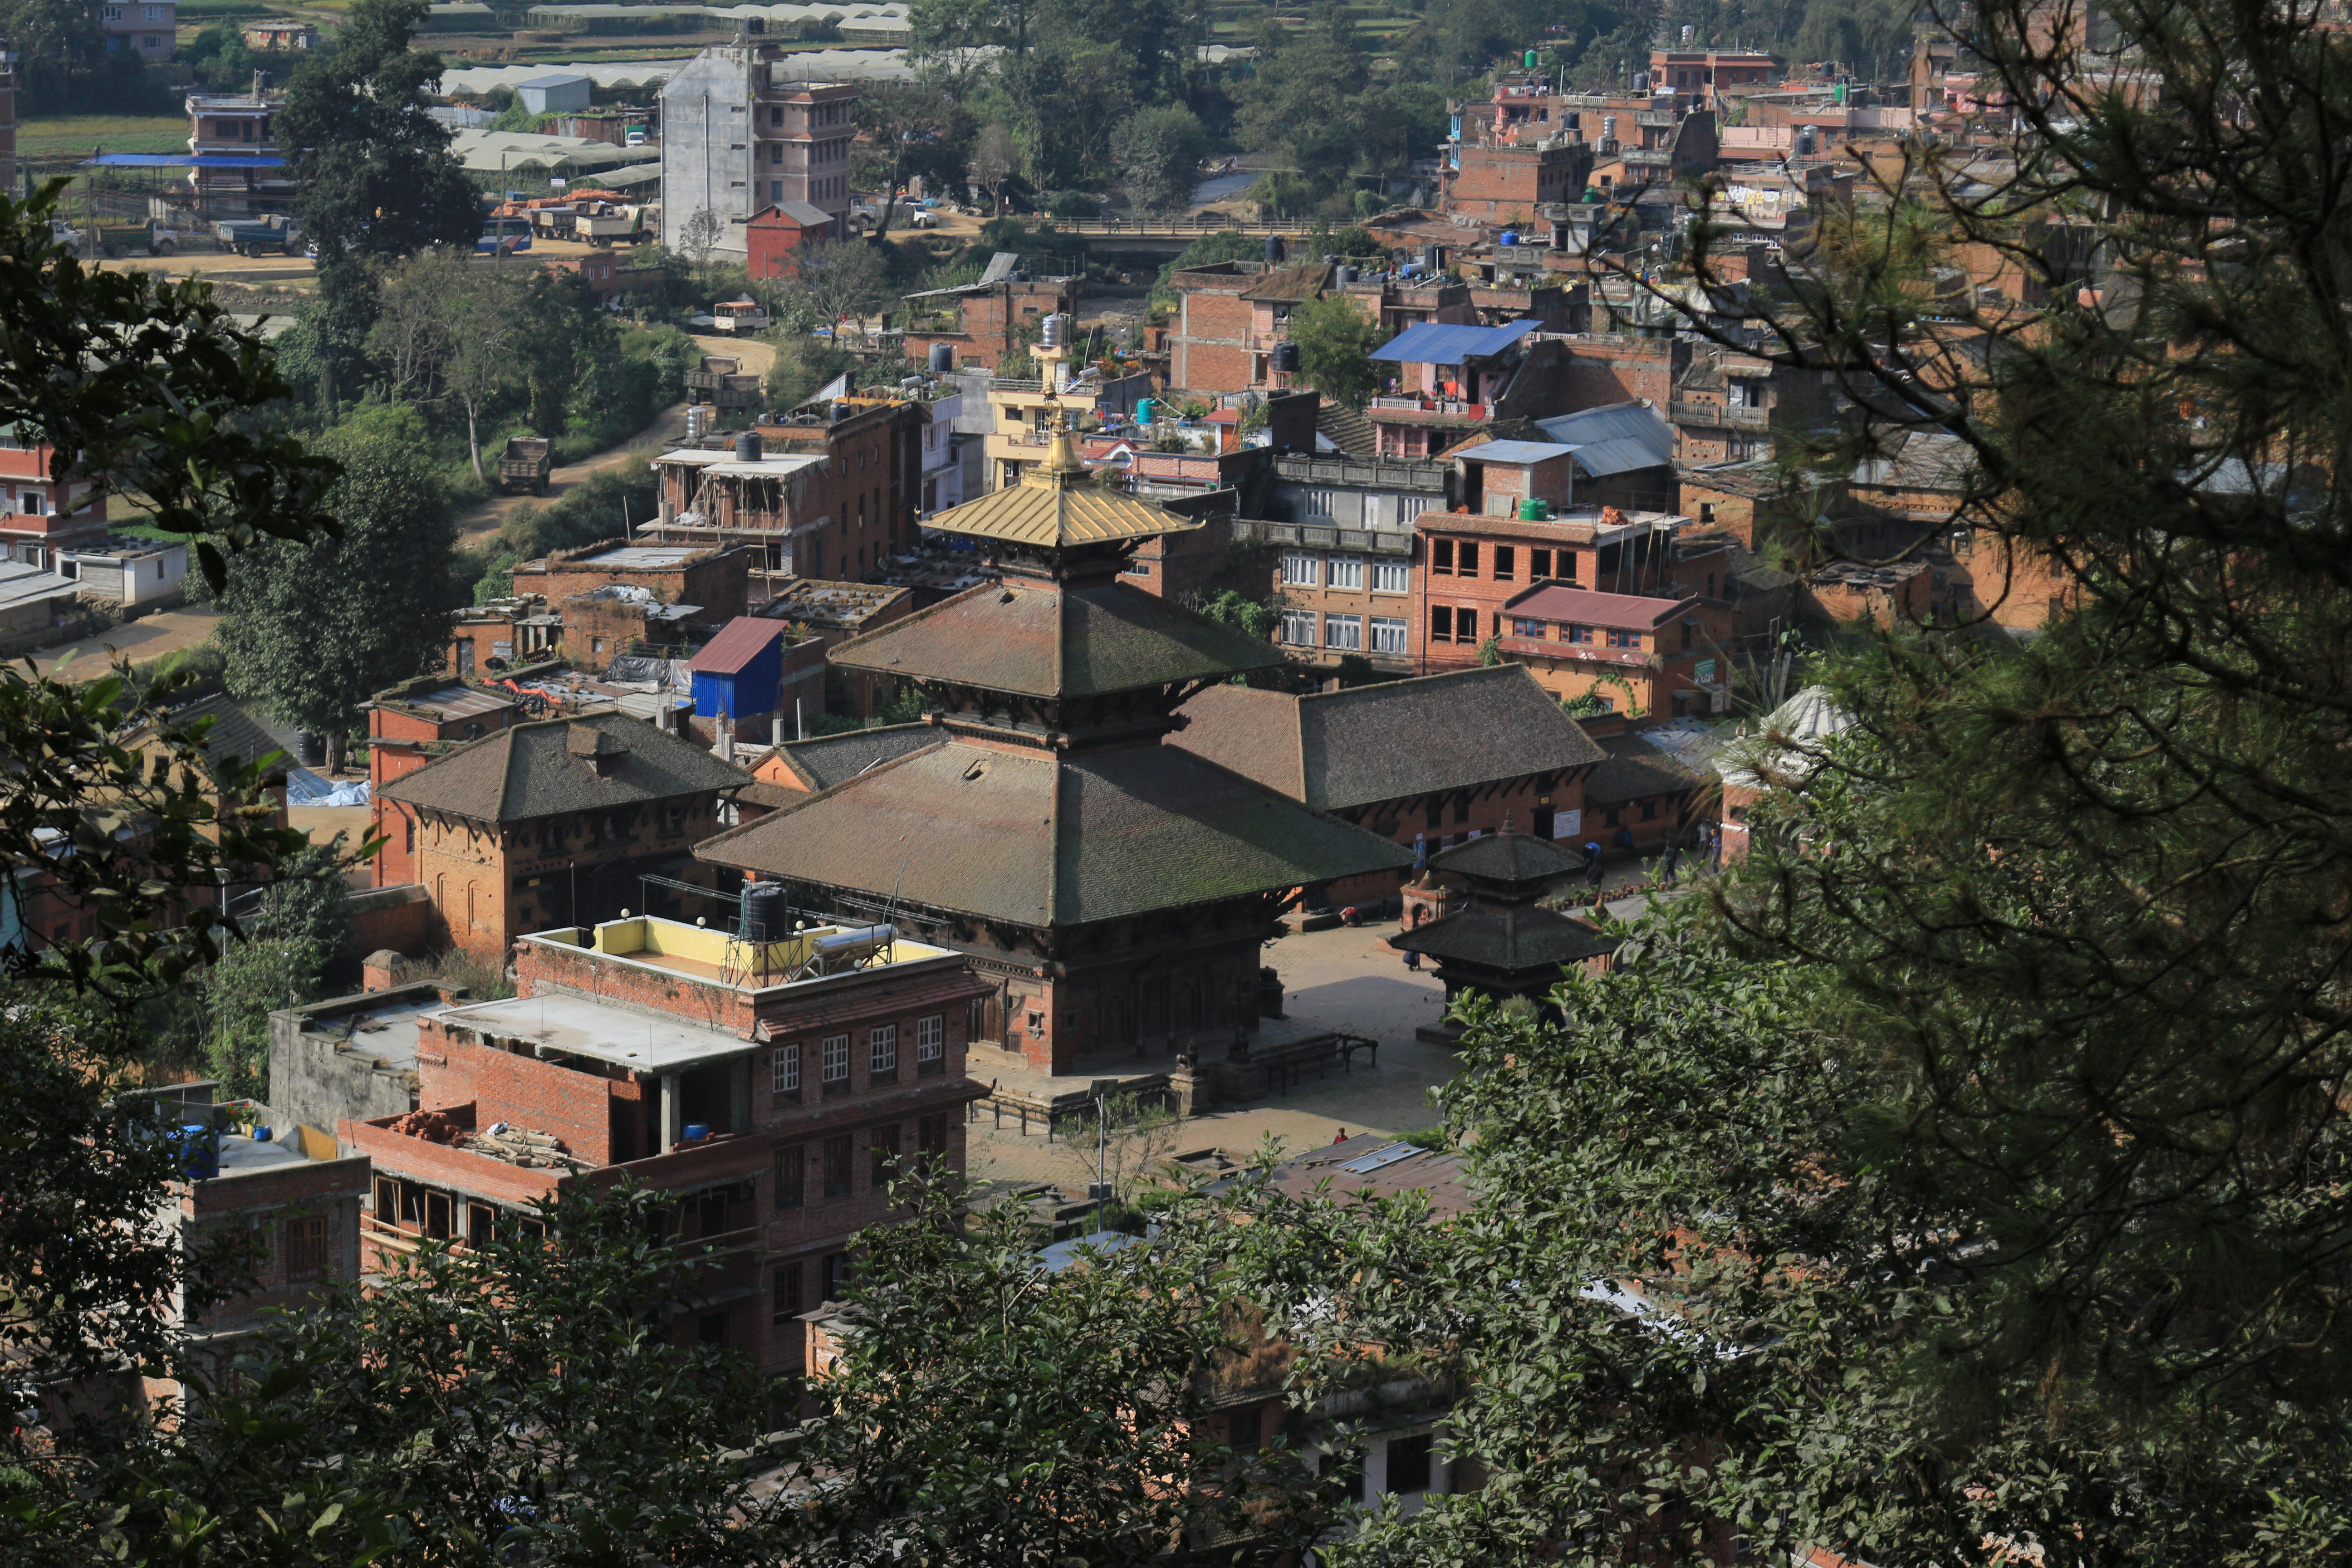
(740, 135)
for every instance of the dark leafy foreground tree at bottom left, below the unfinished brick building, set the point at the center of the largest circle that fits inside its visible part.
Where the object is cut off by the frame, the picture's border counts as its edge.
(519, 1400)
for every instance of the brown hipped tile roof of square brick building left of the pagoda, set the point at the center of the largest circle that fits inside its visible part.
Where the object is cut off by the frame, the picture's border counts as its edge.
(533, 770)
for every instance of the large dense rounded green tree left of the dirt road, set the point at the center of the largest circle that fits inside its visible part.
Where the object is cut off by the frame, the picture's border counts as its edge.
(314, 631)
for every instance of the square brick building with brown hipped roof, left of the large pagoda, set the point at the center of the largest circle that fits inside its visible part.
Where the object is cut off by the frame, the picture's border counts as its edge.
(549, 822)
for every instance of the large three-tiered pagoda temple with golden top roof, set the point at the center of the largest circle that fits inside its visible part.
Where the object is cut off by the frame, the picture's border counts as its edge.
(1114, 887)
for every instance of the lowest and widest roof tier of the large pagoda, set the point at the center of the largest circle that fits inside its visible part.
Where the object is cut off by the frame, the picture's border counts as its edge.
(1043, 840)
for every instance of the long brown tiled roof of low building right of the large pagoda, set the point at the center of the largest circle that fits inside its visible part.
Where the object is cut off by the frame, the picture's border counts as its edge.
(1417, 737)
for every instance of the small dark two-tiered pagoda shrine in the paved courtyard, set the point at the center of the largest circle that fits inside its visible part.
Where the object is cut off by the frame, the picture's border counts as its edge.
(1504, 944)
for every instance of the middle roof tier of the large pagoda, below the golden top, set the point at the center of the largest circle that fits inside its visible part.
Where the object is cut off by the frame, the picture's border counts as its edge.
(1045, 641)
